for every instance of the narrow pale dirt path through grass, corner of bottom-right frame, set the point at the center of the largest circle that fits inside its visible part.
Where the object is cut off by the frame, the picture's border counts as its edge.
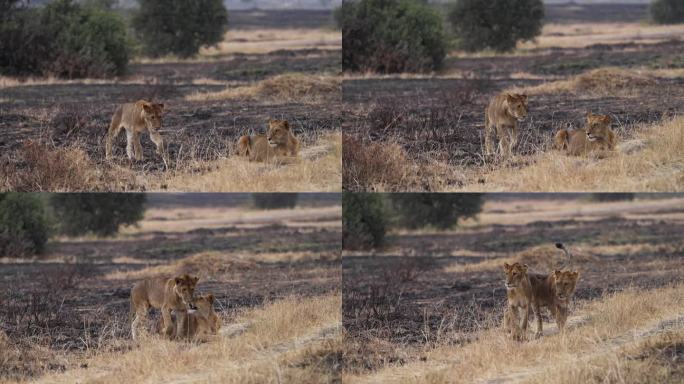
(631, 337)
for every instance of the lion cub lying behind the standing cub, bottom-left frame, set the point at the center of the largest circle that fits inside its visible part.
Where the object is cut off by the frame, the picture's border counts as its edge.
(200, 324)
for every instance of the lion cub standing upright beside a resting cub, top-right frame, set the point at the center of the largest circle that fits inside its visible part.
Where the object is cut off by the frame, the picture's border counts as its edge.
(502, 115)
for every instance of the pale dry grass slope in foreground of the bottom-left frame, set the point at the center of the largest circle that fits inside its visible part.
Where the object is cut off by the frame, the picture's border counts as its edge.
(291, 338)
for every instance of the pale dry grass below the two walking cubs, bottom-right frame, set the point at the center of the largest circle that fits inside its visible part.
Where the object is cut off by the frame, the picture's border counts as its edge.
(601, 328)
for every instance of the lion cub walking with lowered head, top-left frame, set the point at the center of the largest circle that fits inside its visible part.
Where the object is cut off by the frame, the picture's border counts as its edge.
(136, 118)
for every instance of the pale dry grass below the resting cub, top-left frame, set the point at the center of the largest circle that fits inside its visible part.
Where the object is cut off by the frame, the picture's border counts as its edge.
(318, 170)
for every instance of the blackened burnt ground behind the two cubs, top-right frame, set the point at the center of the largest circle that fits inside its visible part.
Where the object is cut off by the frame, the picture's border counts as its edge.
(441, 119)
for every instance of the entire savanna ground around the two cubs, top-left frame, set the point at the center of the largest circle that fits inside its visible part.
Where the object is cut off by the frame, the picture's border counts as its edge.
(271, 65)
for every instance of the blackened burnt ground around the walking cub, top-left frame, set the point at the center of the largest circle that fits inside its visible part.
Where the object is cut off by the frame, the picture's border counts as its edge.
(80, 112)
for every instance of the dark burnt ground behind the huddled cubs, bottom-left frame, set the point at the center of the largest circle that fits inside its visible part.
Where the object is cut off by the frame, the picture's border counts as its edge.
(73, 307)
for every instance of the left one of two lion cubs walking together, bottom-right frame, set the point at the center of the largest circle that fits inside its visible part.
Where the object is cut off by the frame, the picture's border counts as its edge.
(519, 294)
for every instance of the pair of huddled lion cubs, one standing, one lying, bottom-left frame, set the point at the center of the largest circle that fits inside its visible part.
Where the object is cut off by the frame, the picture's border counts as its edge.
(176, 294)
